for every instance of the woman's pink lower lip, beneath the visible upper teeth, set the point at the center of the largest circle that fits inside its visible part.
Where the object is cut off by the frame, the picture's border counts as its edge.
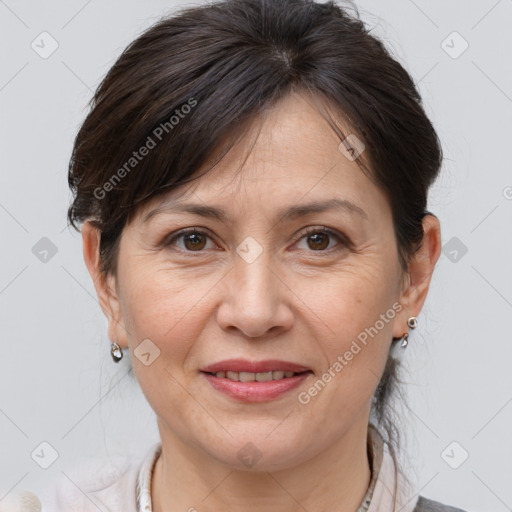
(256, 391)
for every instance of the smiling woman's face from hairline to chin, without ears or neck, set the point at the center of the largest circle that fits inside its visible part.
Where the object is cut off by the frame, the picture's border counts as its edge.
(264, 281)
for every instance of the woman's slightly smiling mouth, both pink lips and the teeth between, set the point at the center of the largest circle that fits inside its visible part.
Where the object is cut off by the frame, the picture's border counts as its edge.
(255, 381)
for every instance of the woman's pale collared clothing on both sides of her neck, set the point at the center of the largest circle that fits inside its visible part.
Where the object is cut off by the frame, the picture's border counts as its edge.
(127, 487)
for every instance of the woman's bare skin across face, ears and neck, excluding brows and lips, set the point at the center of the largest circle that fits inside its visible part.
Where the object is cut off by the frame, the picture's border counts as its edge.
(303, 300)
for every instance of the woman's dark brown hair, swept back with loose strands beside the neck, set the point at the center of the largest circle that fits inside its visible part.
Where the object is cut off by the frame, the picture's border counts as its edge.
(205, 74)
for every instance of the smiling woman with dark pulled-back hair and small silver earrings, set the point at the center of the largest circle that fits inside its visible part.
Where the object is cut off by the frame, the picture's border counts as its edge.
(252, 185)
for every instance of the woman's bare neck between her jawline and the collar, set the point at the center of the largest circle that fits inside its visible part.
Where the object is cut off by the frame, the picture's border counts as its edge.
(185, 479)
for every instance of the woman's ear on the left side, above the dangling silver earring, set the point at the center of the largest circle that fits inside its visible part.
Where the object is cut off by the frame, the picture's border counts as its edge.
(105, 285)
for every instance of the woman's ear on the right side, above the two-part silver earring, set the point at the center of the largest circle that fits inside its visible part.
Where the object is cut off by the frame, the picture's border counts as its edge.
(417, 279)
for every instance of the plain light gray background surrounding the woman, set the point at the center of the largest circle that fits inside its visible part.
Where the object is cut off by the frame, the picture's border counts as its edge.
(57, 381)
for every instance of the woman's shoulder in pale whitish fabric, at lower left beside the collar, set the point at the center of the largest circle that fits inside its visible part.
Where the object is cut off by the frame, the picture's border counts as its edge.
(95, 484)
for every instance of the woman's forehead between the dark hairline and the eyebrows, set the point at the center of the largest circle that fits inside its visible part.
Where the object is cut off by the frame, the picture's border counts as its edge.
(289, 155)
